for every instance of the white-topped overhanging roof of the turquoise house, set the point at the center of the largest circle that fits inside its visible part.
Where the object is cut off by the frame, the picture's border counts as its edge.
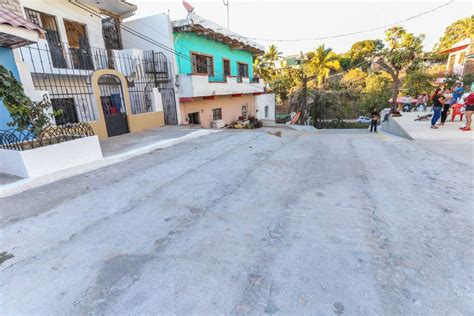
(201, 26)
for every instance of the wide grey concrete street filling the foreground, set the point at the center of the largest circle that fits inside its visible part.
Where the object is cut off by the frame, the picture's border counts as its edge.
(243, 222)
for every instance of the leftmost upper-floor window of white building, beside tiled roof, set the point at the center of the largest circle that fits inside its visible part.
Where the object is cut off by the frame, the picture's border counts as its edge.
(48, 23)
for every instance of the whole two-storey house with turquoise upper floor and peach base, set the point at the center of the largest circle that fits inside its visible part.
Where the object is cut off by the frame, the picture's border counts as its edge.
(216, 81)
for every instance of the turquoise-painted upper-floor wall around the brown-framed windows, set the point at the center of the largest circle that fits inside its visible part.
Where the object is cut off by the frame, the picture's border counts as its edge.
(187, 42)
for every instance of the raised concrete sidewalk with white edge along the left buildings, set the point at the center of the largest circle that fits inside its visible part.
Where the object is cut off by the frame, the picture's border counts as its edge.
(114, 150)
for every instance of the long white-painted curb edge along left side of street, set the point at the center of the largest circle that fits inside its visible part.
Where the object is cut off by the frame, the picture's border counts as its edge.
(30, 183)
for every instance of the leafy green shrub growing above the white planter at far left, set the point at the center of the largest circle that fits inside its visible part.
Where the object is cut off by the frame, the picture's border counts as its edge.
(26, 114)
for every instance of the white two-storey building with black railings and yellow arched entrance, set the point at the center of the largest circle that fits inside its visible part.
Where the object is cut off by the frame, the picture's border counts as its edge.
(92, 72)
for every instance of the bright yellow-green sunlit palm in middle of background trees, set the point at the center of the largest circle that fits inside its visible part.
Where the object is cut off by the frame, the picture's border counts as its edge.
(322, 61)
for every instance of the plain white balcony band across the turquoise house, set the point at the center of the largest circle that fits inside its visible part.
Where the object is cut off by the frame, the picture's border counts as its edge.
(191, 86)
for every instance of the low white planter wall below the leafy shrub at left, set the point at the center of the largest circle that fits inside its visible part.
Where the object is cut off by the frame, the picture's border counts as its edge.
(44, 160)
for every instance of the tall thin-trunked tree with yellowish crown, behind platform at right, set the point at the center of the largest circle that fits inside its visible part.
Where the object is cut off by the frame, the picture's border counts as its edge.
(401, 52)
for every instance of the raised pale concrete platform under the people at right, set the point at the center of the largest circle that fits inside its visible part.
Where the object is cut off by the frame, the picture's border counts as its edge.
(406, 126)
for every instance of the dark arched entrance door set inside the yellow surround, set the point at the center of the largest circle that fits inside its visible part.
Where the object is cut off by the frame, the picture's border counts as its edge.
(113, 105)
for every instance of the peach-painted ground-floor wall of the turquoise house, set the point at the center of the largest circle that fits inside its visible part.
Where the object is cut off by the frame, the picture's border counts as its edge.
(231, 108)
